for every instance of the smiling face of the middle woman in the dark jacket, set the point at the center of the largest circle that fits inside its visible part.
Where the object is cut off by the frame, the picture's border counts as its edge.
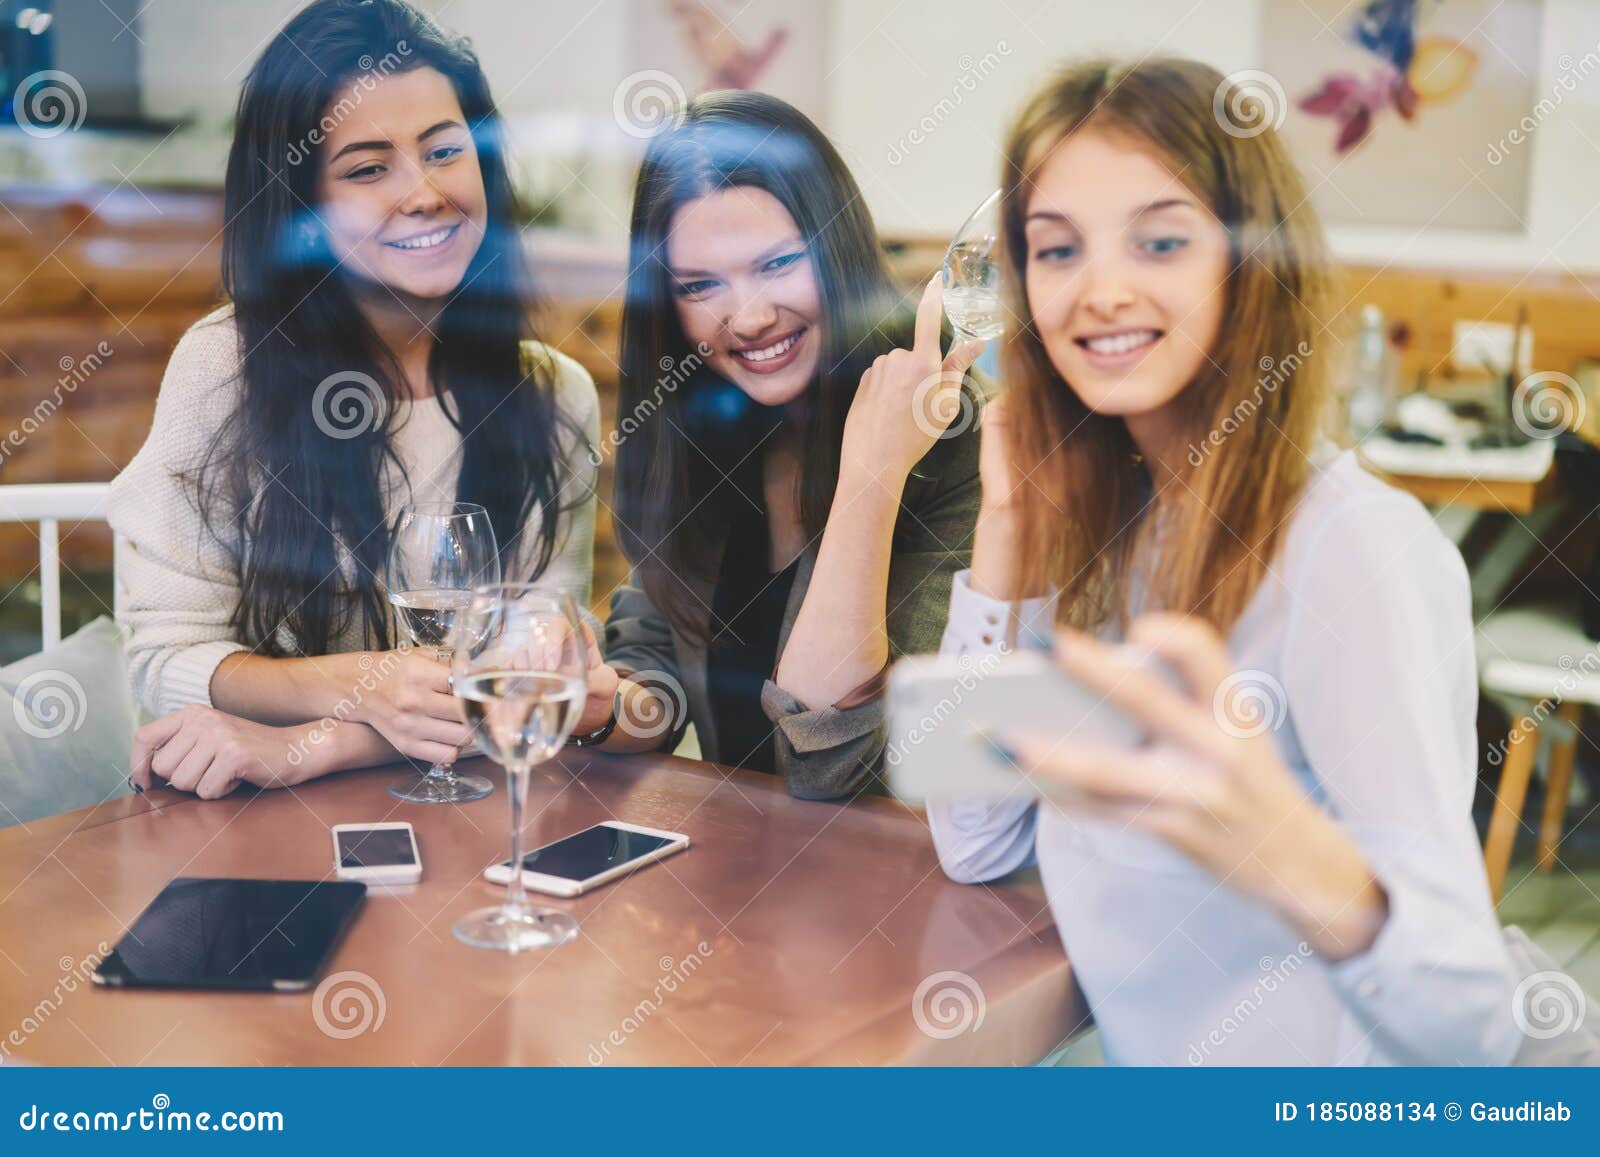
(746, 287)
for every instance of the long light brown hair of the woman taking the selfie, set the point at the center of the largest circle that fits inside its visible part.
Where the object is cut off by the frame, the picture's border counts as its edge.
(1082, 516)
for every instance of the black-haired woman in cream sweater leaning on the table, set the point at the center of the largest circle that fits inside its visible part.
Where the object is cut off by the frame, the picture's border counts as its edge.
(375, 351)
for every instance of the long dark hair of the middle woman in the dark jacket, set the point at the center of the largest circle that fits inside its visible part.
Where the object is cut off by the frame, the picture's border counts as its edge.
(668, 494)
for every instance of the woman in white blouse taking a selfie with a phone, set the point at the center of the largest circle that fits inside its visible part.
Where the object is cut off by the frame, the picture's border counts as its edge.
(1287, 871)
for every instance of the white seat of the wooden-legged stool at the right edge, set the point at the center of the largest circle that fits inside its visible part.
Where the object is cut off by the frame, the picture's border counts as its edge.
(1540, 652)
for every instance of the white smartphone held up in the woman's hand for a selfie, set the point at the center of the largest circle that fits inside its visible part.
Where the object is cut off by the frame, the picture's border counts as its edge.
(945, 715)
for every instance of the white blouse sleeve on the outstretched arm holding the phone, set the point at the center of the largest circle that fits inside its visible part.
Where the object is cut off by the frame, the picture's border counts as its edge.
(1382, 686)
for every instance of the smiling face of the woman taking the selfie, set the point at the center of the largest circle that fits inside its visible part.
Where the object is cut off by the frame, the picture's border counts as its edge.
(1127, 274)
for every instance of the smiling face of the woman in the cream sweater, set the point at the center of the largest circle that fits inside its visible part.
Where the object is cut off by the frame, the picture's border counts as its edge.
(399, 186)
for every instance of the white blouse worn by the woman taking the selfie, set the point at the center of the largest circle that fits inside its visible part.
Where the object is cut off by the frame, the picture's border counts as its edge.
(1361, 643)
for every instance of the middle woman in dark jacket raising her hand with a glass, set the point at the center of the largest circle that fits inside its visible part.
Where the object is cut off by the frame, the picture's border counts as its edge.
(793, 490)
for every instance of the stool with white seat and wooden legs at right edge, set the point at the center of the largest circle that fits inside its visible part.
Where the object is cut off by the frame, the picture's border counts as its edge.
(1540, 662)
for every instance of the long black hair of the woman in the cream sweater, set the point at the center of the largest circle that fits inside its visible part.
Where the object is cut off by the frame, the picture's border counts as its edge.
(305, 484)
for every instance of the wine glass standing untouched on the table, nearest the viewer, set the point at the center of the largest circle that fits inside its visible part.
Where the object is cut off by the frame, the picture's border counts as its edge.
(521, 671)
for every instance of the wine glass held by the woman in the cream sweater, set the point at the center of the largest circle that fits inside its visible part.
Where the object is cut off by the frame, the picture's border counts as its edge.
(439, 554)
